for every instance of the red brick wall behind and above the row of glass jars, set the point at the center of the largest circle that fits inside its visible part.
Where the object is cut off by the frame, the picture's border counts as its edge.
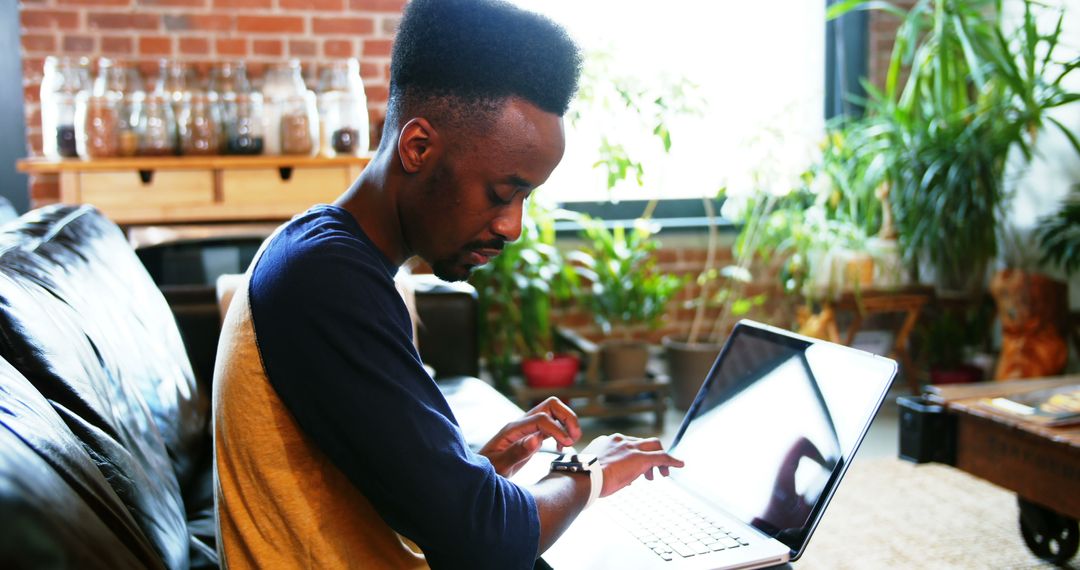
(200, 32)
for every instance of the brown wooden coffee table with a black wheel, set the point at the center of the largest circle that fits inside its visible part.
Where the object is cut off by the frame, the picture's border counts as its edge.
(1041, 465)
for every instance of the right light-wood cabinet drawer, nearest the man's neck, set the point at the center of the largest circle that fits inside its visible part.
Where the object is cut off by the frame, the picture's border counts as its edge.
(296, 189)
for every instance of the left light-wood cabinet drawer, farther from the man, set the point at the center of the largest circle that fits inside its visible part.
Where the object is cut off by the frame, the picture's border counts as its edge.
(126, 191)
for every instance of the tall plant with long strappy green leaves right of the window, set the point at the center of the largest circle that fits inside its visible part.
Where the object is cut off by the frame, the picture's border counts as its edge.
(975, 92)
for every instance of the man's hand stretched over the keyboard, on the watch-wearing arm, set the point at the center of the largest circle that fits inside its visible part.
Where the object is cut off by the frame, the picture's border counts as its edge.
(626, 458)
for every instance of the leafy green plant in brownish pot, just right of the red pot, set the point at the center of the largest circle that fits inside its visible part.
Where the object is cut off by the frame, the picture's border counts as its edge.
(624, 291)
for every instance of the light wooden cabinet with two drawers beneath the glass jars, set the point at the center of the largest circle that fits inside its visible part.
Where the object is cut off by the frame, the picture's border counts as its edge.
(190, 189)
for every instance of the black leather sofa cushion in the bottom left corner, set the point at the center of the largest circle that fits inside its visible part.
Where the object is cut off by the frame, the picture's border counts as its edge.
(59, 511)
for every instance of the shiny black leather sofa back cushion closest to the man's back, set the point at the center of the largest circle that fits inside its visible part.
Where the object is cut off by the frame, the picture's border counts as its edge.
(83, 322)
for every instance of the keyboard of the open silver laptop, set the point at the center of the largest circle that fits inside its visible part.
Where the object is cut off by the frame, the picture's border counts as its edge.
(668, 526)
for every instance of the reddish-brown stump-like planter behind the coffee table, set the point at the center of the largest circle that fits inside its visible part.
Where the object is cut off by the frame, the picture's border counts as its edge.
(1031, 308)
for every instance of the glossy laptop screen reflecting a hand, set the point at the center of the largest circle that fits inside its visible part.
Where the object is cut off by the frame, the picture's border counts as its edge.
(776, 425)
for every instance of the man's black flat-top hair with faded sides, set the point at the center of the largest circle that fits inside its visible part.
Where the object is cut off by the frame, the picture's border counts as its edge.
(457, 61)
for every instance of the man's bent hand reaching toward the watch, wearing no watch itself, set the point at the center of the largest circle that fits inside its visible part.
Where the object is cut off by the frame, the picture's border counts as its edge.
(521, 439)
